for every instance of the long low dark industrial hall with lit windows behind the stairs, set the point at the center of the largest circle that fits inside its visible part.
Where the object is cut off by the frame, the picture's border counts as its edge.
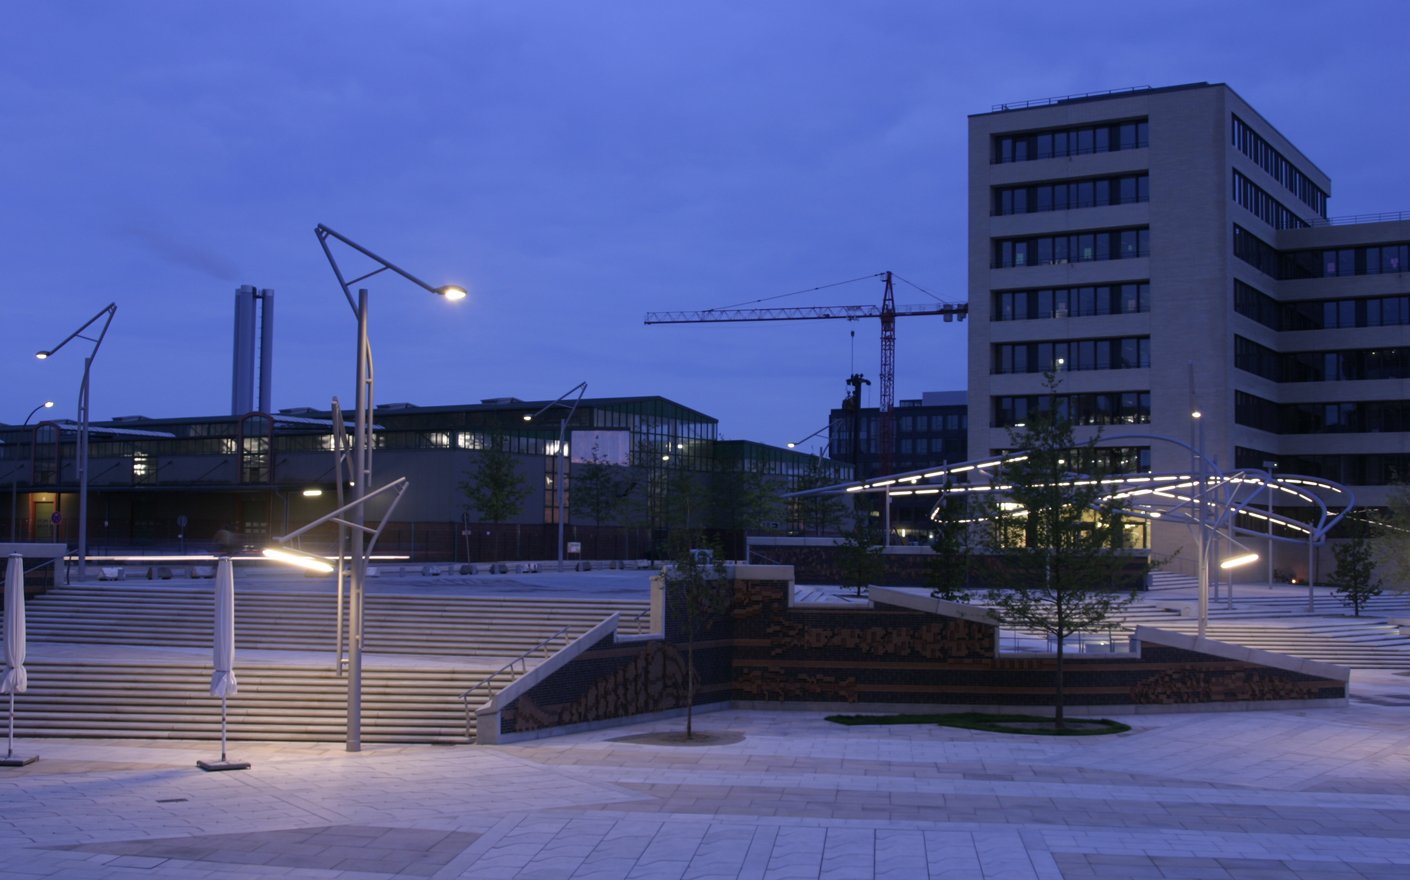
(250, 475)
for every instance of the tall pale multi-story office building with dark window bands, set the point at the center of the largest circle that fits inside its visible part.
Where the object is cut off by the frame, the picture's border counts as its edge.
(1160, 247)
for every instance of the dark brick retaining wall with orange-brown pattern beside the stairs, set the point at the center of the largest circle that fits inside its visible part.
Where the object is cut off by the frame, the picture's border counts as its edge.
(765, 652)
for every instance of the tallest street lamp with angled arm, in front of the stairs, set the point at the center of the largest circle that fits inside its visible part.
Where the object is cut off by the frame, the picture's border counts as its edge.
(362, 456)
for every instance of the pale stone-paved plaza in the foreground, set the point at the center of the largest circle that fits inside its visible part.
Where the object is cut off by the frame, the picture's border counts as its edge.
(1311, 795)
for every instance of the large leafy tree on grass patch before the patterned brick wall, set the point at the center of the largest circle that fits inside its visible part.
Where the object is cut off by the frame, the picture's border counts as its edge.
(1058, 541)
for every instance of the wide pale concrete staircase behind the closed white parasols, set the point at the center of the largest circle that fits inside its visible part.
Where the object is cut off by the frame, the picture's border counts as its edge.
(119, 662)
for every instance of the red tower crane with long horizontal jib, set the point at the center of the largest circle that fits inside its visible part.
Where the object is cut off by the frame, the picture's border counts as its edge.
(888, 312)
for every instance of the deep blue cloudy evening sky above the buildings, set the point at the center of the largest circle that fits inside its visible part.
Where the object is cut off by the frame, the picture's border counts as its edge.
(575, 166)
